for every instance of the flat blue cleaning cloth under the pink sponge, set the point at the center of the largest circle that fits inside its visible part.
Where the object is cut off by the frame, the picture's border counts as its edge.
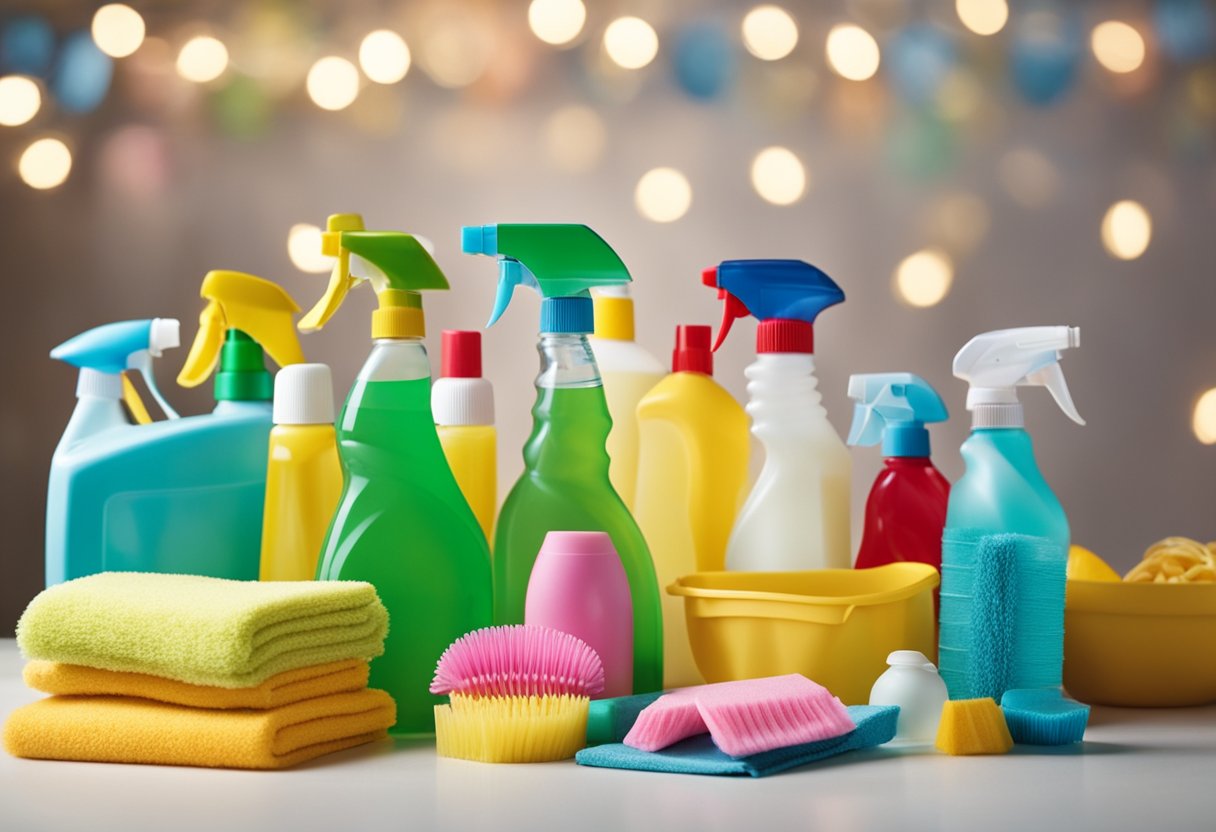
(876, 726)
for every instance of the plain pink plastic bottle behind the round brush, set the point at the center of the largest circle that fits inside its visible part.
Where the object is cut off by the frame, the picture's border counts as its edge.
(578, 586)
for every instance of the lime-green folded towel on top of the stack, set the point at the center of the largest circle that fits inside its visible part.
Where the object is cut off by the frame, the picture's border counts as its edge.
(202, 631)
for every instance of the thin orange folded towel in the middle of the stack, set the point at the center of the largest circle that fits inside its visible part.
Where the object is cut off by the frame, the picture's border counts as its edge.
(279, 690)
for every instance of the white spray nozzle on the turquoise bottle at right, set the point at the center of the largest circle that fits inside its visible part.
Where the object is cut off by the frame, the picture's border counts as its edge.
(995, 364)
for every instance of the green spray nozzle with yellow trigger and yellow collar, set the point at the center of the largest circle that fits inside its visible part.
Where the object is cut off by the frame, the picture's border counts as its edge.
(395, 263)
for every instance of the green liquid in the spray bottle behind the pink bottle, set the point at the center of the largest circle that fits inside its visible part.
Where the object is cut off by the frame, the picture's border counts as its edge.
(566, 487)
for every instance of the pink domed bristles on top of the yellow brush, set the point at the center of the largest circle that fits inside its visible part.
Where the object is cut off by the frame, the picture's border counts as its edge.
(520, 661)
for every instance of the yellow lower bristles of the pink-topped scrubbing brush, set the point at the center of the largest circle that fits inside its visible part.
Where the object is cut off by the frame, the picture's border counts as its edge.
(534, 729)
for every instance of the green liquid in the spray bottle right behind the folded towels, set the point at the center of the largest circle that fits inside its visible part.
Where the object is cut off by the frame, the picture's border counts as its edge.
(404, 526)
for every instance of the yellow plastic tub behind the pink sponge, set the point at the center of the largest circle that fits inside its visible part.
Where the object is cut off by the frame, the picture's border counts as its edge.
(834, 626)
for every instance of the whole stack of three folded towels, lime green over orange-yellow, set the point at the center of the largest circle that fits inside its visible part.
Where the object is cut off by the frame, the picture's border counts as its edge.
(190, 671)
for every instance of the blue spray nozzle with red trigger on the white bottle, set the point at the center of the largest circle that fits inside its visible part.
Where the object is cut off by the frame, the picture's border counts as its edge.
(772, 290)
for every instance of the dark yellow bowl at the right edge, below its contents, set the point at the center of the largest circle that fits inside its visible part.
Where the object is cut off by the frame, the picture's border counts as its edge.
(1140, 645)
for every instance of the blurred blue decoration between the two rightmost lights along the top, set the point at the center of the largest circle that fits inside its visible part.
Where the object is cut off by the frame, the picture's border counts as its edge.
(1046, 54)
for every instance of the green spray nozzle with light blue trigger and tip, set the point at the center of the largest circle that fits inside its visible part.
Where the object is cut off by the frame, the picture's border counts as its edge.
(559, 261)
